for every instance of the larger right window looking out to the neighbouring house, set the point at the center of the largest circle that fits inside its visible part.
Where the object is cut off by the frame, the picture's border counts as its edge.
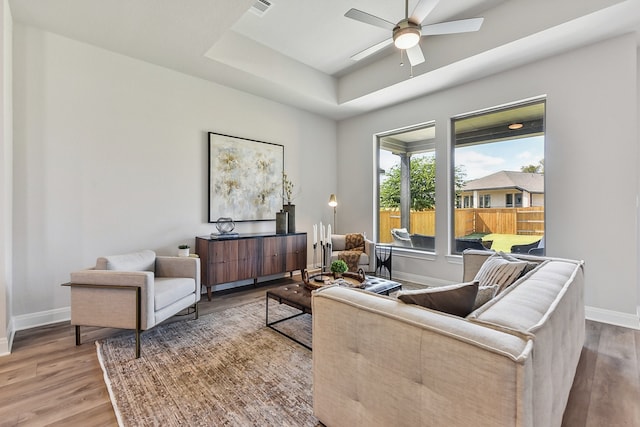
(498, 158)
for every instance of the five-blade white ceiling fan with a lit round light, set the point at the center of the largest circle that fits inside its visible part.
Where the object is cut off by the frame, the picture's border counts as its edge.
(406, 34)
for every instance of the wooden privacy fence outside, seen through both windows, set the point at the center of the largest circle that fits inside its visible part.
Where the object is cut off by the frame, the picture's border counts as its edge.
(524, 221)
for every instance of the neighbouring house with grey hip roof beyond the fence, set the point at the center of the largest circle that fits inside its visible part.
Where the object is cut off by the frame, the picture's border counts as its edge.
(504, 189)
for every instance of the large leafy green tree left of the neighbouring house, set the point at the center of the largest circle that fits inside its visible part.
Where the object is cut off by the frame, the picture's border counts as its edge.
(422, 184)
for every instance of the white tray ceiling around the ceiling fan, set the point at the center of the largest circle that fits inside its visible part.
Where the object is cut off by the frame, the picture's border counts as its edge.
(298, 53)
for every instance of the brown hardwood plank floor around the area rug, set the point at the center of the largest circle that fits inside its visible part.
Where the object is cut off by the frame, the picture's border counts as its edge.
(48, 380)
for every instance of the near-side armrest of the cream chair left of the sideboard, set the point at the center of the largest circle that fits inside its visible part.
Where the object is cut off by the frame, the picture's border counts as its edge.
(101, 298)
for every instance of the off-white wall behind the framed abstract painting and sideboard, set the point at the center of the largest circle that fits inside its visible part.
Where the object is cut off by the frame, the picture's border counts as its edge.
(111, 156)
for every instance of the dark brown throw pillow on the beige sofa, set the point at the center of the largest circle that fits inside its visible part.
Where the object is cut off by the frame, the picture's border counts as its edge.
(455, 299)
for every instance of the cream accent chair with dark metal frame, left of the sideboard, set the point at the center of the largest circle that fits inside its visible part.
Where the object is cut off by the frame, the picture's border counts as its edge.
(134, 291)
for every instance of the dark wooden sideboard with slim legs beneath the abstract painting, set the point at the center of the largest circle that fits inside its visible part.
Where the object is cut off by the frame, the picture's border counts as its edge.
(249, 256)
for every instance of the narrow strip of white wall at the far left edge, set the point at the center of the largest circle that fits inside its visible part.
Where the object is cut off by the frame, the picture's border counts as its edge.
(6, 143)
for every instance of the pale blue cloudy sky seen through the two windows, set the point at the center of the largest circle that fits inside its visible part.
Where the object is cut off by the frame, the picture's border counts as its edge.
(485, 159)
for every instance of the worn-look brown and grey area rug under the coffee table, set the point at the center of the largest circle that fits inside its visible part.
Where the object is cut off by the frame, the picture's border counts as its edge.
(224, 369)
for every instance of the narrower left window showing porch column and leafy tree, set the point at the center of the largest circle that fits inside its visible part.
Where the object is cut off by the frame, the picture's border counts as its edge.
(406, 187)
